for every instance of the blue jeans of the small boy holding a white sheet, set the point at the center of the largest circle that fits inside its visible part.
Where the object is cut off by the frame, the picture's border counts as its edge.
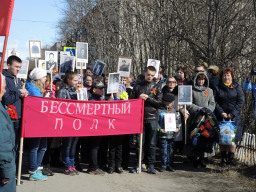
(166, 151)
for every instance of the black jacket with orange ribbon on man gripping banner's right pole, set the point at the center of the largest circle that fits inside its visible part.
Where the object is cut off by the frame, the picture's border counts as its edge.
(154, 100)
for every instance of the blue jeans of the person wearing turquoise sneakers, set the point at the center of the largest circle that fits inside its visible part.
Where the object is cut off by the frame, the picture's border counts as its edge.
(37, 148)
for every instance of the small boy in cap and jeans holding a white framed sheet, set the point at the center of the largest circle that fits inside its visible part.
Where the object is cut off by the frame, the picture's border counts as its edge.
(166, 139)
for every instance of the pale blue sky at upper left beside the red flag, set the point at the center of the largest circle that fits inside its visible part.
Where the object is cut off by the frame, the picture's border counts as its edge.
(33, 20)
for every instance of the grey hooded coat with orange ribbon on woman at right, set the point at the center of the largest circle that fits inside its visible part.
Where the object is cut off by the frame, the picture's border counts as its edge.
(201, 97)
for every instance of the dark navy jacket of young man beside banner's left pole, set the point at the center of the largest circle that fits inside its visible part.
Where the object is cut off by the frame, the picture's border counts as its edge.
(12, 95)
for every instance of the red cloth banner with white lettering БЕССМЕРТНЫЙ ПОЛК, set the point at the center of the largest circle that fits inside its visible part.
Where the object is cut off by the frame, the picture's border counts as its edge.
(45, 117)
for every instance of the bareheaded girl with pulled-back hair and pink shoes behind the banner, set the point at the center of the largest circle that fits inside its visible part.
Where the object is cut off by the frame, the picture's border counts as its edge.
(69, 91)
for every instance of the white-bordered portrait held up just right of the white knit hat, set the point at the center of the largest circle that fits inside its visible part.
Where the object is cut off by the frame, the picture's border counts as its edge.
(51, 59)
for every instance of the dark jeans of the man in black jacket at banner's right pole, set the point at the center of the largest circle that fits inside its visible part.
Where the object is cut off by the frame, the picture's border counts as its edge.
(149, 141)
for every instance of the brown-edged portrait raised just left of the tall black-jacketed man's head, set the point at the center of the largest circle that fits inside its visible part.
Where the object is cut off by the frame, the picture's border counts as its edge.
(124, 66)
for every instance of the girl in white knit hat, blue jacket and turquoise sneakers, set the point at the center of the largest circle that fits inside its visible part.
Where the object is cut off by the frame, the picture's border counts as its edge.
(37, 146)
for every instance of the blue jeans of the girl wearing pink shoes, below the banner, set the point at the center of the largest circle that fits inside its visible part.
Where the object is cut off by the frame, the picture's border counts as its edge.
(69, 151)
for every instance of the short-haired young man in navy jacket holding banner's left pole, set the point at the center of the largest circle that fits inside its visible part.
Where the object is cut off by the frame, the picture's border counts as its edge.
(14, 92)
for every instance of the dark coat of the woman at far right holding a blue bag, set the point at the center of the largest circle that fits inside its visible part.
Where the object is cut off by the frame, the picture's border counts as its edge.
(230, 100)
